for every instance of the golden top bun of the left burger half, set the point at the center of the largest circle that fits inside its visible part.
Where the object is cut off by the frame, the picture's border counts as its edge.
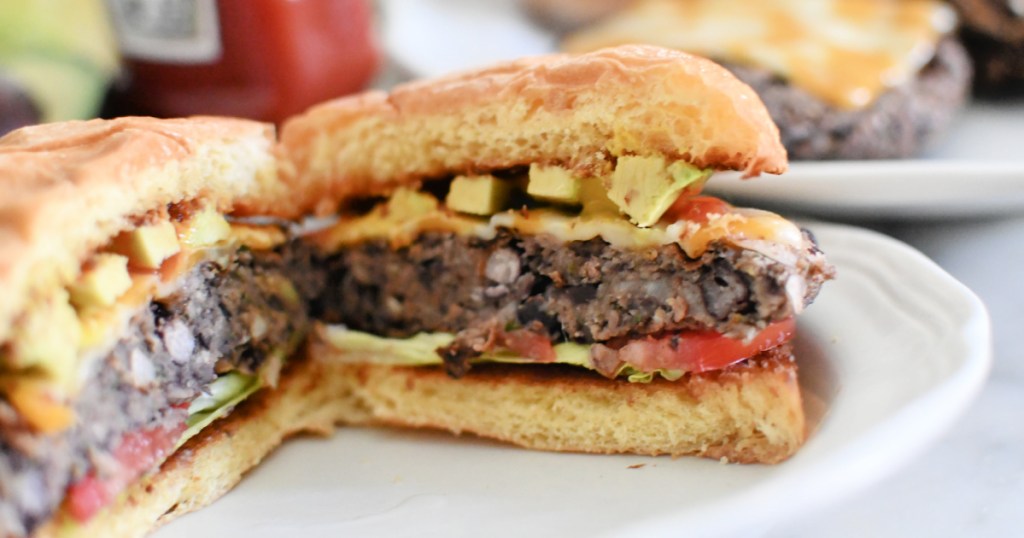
(66, 189)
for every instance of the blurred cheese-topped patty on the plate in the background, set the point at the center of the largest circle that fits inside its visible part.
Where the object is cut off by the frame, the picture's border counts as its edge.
(843, 79)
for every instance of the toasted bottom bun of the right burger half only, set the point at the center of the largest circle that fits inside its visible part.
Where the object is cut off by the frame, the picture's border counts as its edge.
(750, 413)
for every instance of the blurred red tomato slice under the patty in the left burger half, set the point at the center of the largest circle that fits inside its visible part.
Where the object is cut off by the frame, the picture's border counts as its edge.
(138, 453)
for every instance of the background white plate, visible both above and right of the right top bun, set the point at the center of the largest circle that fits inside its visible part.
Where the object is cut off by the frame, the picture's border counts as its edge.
(977, 170)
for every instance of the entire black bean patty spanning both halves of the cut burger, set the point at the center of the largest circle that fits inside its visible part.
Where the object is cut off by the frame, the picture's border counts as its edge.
(232, 316)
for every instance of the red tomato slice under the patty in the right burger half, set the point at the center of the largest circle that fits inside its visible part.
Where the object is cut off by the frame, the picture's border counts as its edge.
(701, 351)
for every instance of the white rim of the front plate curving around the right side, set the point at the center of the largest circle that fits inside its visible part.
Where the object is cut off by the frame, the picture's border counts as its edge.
(861, 466)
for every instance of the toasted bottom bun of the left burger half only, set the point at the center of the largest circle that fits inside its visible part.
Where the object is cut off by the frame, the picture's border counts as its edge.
(312, 397)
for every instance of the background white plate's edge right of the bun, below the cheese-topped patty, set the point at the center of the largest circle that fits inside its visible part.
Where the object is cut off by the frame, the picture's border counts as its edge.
(976, 171)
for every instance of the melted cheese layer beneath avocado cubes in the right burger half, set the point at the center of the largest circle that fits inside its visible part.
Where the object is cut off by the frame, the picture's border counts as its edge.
(404, 219)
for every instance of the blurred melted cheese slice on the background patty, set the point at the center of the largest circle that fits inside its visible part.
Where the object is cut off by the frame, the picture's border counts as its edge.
(846, 53)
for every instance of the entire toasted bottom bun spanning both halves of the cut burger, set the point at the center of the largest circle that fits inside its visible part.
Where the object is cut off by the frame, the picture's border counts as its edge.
(749, 413)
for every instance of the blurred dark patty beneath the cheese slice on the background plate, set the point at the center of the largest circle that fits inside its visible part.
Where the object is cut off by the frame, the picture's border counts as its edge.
(901, 123)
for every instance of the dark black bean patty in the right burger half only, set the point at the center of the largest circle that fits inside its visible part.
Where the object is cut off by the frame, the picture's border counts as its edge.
(583, 293)
